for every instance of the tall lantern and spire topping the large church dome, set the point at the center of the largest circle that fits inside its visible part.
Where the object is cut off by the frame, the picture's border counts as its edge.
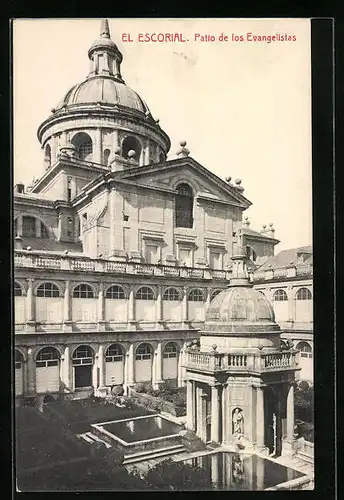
(105, 56)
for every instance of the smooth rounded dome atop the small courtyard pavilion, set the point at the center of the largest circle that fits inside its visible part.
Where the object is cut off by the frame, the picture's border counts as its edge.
(240, 309)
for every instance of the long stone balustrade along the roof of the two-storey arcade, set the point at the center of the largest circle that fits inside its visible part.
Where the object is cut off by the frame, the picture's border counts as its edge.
(35, 260)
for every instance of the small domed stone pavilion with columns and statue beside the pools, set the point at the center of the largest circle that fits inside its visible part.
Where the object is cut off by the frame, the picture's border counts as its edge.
(240, 380)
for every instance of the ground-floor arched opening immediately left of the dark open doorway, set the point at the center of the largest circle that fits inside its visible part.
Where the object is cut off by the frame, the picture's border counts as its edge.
(48, 370)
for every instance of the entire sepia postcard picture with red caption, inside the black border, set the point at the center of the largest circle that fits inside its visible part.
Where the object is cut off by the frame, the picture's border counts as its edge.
(163, 259)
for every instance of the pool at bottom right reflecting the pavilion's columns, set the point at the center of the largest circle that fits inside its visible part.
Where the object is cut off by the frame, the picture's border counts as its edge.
(233, 471)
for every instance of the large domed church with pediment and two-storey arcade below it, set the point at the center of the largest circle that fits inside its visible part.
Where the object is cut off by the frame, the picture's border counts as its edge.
(119, 250)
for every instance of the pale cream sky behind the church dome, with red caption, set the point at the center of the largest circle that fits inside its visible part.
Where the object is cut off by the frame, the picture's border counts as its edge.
(244, 107)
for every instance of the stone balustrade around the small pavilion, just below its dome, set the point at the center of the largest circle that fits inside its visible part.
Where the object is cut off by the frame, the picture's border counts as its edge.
(214, 361)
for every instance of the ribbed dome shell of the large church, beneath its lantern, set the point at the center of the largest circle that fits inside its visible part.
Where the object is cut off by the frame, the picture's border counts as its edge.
(102, 89)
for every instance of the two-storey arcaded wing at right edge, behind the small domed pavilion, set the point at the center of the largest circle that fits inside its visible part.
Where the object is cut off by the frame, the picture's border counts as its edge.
(287, 281)
